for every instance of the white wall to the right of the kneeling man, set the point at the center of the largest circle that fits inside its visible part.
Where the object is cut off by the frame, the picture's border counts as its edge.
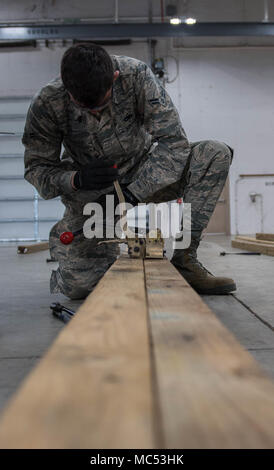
(228, 95)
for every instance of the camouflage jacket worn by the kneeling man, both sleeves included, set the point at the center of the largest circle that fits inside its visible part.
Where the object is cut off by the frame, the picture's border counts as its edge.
(140, 130)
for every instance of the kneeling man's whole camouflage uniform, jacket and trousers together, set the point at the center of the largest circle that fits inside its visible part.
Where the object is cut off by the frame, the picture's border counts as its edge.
(141, 113)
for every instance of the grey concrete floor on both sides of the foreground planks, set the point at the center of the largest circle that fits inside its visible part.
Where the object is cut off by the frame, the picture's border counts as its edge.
(27, 327)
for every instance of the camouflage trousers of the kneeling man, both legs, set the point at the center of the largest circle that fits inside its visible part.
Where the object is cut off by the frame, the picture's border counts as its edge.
(84, 261)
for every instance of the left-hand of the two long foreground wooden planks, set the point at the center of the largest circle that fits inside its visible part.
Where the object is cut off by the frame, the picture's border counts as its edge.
(93, 387)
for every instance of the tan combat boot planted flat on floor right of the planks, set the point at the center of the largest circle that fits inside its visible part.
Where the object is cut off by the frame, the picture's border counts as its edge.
(203, 281)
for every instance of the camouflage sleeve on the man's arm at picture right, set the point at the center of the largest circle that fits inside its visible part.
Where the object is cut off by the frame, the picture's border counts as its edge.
(165, 164)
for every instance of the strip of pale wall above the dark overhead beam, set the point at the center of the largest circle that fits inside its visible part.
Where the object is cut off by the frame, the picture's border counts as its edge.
(203, 10)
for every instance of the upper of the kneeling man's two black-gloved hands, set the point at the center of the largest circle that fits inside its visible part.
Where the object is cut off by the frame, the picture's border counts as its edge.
(97, 175)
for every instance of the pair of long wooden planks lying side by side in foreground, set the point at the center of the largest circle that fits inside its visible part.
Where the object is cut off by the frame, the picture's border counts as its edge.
(144, 364)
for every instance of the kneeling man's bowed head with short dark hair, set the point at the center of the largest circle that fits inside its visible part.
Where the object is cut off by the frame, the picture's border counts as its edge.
(87, 73)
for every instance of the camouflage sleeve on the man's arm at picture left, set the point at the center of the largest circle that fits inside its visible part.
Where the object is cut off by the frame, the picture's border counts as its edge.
(42, 140)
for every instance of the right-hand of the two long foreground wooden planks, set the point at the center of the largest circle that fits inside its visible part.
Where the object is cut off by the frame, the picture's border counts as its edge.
(211, 392)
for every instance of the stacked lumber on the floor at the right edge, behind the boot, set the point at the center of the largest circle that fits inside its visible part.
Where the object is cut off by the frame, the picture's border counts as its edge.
(263, 243)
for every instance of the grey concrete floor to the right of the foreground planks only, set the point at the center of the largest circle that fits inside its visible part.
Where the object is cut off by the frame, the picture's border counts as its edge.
(249, 312)
